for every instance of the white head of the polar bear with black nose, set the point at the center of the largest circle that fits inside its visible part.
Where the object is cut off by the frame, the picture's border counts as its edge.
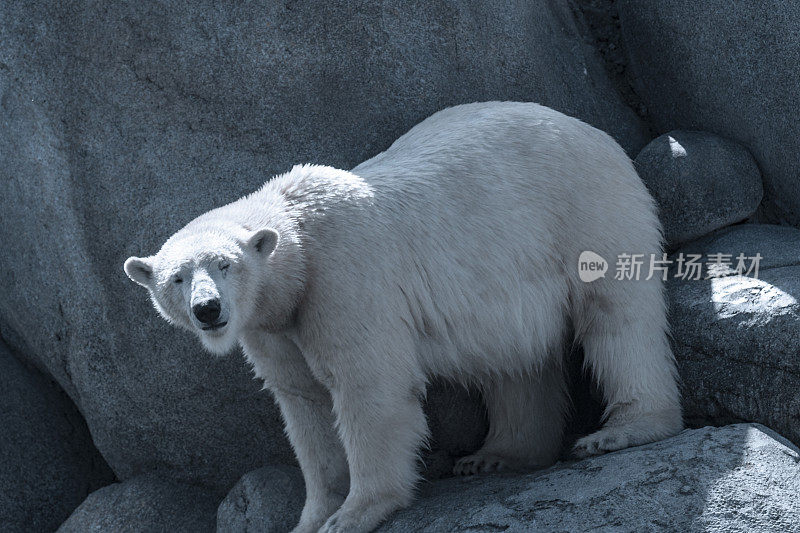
(217, 280)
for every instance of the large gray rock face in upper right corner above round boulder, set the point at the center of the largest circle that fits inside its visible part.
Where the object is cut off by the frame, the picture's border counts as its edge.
(725, 67)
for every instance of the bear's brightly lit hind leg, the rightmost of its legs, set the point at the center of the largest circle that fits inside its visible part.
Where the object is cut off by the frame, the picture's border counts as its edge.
(629, 354)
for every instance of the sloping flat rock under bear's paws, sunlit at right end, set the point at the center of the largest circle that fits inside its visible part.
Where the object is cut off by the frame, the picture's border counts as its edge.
(742, 477)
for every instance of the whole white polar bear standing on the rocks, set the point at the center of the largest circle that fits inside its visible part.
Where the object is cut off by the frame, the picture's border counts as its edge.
(453, 253)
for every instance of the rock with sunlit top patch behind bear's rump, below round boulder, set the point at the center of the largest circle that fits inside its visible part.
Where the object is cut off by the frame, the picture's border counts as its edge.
(736, 338)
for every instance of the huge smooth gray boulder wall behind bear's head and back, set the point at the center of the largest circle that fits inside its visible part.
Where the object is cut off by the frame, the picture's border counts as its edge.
(123, 121)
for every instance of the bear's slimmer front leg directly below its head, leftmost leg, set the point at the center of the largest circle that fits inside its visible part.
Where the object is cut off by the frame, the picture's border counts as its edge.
(307, 412)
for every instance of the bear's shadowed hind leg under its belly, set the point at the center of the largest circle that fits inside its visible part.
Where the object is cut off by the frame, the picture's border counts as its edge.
(526, 422)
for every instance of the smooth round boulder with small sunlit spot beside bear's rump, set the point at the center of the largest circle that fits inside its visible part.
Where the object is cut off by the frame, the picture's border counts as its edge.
(700, 181)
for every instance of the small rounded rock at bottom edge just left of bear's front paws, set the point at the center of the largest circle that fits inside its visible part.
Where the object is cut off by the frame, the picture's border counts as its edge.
(267, 500)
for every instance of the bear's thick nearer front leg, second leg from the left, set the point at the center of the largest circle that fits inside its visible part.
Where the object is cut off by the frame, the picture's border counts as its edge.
(382, 425)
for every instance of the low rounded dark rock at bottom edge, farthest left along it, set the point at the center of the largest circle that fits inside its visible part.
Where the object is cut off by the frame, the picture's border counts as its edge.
(145, 503)
